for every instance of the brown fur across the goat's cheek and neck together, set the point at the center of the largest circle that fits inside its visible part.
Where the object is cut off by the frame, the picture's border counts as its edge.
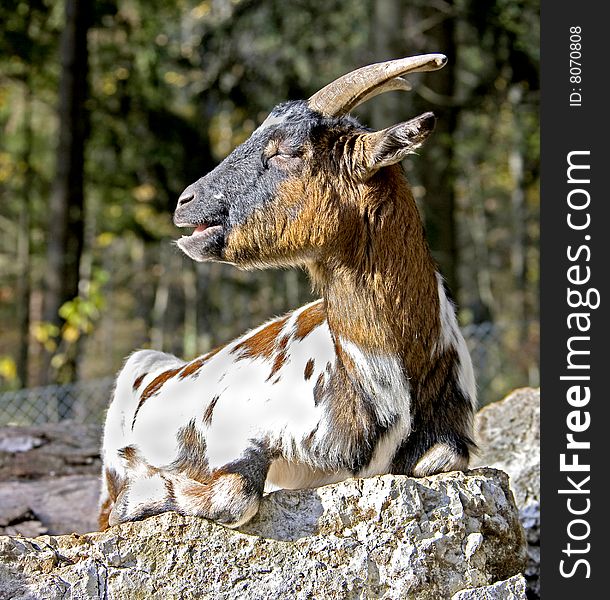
(377, 296)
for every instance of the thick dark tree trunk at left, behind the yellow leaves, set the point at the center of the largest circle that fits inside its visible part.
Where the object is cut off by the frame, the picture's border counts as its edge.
(66, 214)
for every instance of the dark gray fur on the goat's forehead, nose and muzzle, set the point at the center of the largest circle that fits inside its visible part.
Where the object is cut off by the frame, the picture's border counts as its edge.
(249, 178)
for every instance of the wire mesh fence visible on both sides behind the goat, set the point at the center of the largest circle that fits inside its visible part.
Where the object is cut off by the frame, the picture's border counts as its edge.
(502, 361)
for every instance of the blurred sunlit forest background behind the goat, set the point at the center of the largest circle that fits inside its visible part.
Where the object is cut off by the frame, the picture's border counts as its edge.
(109, 109)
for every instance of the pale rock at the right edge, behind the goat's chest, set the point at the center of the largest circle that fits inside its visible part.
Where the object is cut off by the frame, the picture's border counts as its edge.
(509, 439)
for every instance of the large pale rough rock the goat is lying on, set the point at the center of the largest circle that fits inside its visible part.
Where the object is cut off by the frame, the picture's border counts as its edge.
(381, 537)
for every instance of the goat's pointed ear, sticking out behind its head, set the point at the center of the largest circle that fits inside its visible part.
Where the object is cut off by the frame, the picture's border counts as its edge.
(391, 145)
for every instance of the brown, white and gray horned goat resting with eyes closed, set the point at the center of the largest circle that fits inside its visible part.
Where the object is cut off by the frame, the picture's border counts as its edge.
(373, 378)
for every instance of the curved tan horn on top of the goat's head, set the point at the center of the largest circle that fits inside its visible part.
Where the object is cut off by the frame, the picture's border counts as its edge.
(354, 88)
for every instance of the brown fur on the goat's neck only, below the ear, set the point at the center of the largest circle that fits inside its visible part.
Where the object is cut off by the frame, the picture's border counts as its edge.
(379, 298)
